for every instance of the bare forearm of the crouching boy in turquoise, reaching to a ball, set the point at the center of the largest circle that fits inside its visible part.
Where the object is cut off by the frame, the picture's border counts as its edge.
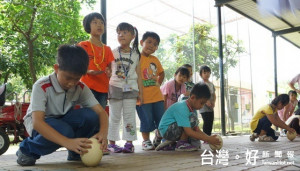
(201, 135)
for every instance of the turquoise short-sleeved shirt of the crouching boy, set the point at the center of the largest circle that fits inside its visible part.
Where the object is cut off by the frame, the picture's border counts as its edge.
(179, 113)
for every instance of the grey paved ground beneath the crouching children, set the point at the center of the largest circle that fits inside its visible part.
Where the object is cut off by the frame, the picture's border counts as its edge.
(283, 150)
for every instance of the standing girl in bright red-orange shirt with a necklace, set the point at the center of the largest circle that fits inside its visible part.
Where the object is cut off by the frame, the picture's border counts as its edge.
(100, 56)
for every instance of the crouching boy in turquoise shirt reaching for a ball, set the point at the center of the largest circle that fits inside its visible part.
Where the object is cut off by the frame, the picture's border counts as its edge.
(180, 123)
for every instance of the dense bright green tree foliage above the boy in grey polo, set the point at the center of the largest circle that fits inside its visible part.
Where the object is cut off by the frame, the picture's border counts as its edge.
(31, 31)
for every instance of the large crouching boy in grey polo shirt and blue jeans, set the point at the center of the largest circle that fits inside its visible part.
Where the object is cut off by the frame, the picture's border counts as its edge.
(51, 120)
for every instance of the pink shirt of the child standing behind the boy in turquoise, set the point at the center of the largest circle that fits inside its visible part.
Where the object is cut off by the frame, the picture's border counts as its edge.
(168, 89)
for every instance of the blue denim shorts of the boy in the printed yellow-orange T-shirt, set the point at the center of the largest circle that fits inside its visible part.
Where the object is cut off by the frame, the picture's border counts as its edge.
(150, 115)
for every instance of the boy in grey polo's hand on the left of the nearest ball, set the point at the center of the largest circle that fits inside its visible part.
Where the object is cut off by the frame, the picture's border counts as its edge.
(78, 145)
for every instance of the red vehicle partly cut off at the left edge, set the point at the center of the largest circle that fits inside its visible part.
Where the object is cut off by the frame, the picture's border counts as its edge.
(11, 119)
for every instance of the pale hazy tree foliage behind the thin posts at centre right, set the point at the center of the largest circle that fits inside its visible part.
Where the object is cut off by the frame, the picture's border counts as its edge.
(180, 49)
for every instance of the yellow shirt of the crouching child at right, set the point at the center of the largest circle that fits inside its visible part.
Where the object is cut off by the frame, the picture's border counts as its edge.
(267, 109)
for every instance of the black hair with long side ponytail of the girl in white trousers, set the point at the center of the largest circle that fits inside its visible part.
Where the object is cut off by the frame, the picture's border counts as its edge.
(126, 26)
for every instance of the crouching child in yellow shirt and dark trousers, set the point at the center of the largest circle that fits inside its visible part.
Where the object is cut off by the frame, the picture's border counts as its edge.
(266, 116)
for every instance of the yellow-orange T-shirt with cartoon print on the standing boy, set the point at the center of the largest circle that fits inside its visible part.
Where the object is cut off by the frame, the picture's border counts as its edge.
(151, 68)
